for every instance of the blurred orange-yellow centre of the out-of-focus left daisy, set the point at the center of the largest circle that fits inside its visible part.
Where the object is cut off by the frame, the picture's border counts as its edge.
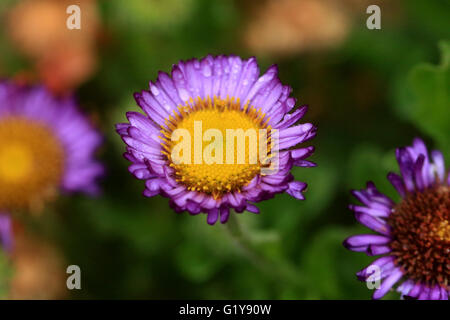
(31, 164)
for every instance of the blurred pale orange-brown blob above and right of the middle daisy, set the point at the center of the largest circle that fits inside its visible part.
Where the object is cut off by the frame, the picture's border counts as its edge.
(285, 27)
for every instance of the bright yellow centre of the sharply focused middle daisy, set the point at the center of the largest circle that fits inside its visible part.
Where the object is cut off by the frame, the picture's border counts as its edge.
(213, 145)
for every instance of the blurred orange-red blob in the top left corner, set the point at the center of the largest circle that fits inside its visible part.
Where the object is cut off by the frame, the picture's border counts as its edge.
(63, 58)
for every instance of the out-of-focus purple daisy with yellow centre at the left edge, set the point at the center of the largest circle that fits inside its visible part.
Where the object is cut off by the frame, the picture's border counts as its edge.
(46, 145)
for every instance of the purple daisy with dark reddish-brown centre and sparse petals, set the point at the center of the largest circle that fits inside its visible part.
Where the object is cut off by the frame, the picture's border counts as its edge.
(414, 234)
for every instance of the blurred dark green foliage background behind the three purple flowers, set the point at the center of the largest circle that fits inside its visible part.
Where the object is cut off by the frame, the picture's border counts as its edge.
(369, 91)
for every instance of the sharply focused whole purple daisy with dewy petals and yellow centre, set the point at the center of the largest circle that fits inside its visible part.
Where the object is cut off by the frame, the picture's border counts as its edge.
(221, 93)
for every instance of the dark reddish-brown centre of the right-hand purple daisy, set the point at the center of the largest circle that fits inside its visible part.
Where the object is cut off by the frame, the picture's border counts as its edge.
(421, 236)
